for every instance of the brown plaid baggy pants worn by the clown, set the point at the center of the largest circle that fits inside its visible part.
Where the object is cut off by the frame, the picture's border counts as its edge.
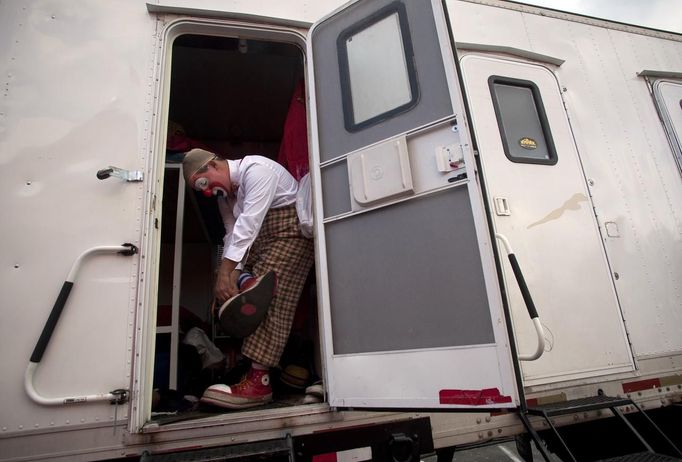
(280, 247)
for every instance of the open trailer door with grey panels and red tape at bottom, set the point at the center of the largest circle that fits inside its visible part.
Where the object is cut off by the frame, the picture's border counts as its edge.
(411, 310)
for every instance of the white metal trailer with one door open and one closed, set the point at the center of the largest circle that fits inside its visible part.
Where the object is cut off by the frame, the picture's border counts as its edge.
(441, 134)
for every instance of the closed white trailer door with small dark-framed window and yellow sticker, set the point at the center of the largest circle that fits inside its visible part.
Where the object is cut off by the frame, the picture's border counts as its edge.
(539, 200)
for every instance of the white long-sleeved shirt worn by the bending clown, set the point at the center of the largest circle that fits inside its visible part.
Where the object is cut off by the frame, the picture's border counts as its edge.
(259, 184)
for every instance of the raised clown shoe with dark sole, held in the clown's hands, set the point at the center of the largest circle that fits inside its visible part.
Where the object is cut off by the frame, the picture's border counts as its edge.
(241, 315)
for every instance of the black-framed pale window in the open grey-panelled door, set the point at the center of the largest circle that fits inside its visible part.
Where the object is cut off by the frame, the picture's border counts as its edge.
(378, 79)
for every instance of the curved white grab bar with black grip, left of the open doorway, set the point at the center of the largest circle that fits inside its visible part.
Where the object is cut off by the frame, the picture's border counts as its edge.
(116, 396)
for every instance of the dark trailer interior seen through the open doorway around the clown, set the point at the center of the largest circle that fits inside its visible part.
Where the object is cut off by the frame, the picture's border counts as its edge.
(232, 97)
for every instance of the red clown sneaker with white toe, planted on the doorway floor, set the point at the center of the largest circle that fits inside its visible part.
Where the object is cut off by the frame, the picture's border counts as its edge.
(253, 390)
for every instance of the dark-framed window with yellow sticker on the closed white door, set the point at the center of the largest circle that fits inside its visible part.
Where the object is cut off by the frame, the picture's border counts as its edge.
(522, 121)
